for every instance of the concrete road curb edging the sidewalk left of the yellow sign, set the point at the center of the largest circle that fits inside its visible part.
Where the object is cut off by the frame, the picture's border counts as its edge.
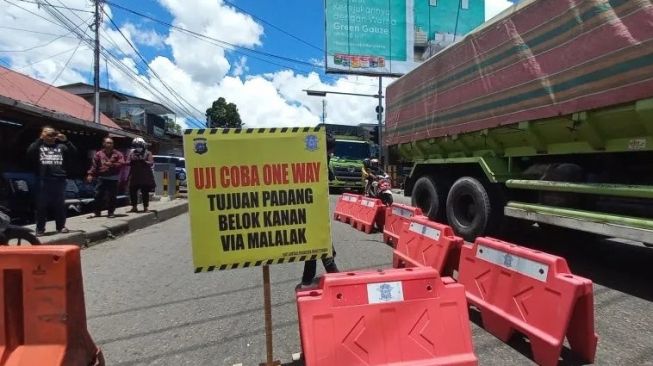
(109, 230)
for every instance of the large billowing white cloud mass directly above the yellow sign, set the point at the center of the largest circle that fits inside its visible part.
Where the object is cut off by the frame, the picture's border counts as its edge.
(198, 71)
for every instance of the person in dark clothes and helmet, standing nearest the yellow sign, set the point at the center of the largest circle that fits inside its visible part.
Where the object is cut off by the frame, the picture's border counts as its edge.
(141, 177)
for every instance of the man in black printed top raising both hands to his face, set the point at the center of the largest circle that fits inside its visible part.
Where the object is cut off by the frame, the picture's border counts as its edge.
(51, 152)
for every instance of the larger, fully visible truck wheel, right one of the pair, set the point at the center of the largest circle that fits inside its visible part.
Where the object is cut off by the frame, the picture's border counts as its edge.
(468, 208)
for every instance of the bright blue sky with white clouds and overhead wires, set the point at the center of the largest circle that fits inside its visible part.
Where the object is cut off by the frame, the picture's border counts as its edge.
(268, 93)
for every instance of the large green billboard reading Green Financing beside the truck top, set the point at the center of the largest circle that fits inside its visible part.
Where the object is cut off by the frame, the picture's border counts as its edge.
(391, 37)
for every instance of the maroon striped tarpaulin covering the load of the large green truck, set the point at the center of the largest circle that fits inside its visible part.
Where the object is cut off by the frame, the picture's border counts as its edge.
(543, 59)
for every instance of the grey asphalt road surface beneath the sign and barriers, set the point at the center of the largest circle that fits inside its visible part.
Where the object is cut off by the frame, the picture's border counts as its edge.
(145, 305)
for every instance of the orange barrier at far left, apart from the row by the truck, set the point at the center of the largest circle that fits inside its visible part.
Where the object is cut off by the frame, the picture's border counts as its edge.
(42, 301)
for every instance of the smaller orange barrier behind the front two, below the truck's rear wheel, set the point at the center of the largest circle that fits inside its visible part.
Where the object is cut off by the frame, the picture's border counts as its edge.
(430, 244)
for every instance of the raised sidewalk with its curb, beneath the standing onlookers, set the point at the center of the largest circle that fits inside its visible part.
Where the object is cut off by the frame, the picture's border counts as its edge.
(85, 231)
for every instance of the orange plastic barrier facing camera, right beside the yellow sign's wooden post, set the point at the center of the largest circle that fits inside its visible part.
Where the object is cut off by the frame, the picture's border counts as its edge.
(392, 317)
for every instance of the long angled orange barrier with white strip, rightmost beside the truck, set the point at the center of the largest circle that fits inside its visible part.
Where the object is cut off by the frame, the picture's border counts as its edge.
(516, 288)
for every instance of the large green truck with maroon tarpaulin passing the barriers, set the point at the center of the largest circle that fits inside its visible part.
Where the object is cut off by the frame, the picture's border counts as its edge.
(542, 114)
